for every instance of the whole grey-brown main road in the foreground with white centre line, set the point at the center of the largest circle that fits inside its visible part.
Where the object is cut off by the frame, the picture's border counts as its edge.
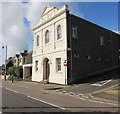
(38, 97)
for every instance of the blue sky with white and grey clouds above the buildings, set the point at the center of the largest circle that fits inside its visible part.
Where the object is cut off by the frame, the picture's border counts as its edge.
(19, 18)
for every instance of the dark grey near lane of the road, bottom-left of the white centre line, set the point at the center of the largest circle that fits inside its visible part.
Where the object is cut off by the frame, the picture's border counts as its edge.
(14, 102)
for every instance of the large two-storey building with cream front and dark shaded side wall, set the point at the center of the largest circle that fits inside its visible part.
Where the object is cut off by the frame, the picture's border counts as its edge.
(68, 48)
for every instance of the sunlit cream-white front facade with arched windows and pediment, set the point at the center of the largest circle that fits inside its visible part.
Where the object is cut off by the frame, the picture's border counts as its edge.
(53, 50)
